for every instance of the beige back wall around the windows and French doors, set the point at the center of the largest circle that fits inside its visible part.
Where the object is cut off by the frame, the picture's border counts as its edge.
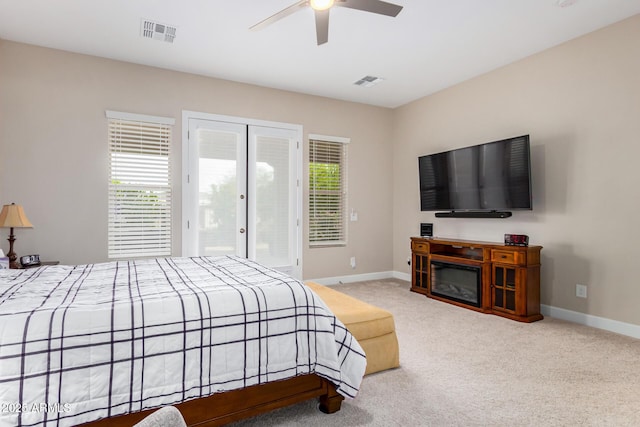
(53, 149)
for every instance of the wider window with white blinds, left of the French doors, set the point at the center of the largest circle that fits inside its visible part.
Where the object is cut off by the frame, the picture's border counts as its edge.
(139, 185)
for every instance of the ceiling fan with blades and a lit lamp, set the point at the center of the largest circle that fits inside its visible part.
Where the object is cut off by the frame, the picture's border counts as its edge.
(321, 9)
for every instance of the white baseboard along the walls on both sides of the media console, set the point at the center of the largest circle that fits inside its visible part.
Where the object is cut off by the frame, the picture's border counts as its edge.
(547, 310)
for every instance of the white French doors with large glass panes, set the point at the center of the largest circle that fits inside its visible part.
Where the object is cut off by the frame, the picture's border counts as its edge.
(241, 193)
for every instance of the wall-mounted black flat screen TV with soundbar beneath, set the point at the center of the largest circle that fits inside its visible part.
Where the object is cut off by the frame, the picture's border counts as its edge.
(484, 178)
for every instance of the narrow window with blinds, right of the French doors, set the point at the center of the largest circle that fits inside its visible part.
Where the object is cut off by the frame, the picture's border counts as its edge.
(327, 190)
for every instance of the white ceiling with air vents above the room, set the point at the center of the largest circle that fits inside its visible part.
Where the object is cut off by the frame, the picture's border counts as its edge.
(430, 45)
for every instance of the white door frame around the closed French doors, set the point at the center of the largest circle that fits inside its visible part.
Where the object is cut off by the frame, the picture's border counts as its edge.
(187, 191)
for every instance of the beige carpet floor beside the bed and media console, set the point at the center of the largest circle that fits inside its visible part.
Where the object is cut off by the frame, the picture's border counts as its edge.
(462, 368)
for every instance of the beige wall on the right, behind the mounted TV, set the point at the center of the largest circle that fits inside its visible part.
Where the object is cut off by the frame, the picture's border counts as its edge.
(580, 102)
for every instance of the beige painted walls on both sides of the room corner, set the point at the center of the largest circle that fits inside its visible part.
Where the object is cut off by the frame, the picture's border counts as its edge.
(580, 102)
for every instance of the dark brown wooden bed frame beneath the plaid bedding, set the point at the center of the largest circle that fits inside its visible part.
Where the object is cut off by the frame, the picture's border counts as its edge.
(222, 408)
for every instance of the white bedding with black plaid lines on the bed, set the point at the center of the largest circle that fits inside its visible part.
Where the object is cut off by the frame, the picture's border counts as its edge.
(80, 343)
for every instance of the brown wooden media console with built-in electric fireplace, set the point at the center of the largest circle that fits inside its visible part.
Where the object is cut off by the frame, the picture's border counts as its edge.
(483, 276)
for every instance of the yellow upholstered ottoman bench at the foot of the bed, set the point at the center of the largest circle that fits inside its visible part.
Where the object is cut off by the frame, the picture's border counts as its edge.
(373, 327)
